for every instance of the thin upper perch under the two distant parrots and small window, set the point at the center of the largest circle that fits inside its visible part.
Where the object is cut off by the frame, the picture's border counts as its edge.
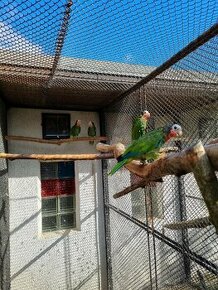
(55, 142)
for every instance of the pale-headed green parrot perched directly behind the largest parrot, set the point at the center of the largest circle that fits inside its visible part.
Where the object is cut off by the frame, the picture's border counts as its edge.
(139, 125)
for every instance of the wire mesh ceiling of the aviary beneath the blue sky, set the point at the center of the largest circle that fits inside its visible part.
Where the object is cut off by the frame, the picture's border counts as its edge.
(48, 46)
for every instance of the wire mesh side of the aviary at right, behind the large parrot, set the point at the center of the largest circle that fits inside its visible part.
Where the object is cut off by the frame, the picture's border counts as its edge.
(182, 258)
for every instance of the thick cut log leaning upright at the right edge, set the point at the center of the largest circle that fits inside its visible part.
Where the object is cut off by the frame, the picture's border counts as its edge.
(207, 182)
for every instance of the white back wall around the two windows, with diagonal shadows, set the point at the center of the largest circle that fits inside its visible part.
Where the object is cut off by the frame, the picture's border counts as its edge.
(69, 259)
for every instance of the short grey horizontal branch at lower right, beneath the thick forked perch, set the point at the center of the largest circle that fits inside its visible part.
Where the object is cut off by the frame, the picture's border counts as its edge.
(195, 223)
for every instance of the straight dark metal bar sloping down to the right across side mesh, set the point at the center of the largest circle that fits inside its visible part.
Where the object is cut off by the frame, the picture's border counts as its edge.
(211, 267)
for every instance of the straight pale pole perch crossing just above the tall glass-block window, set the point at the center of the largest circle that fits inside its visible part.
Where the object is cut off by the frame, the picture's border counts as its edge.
(50, 157)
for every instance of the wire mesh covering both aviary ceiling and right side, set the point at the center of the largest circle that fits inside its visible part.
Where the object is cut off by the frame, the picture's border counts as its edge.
(47, 46)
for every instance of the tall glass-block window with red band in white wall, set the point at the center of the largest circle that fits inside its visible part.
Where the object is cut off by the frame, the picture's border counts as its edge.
(58, 196)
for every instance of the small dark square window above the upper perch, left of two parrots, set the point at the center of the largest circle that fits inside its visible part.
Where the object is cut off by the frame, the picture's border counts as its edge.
(55, 126)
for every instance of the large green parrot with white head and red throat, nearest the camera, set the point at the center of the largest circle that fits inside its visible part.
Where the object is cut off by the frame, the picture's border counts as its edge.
(147, 147)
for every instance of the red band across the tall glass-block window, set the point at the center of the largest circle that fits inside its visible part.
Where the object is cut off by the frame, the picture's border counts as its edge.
(54, 187)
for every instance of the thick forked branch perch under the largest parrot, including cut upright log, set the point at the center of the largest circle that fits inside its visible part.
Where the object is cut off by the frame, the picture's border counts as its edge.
(200, 160)
